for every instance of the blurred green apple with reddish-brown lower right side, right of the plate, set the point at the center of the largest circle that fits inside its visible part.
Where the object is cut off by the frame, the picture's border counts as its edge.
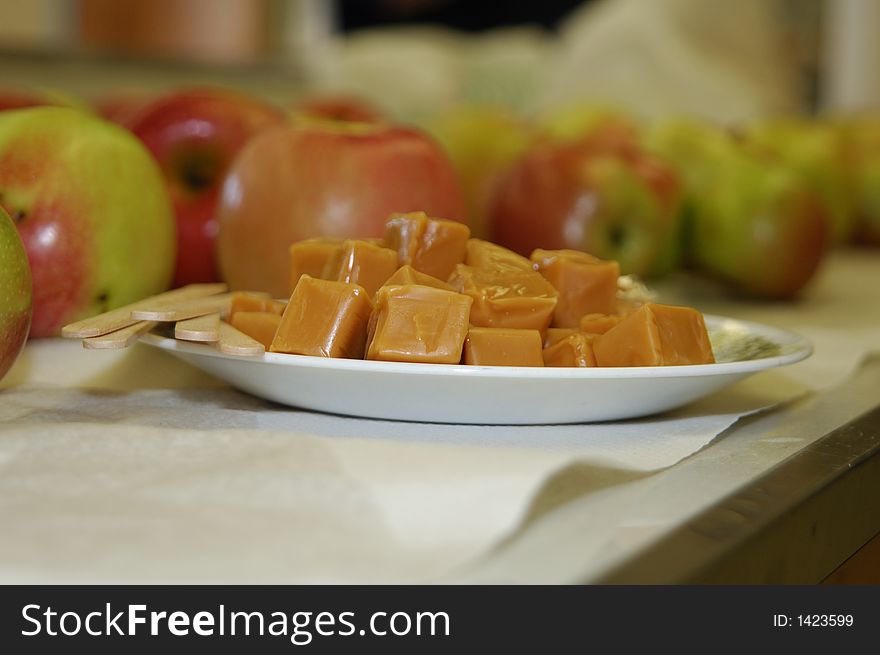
(753, 220)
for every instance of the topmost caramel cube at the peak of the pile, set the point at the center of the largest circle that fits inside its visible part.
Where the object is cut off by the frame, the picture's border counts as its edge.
(430, 245)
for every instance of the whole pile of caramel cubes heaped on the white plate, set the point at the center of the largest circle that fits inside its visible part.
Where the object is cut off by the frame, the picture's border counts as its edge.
(428, 293)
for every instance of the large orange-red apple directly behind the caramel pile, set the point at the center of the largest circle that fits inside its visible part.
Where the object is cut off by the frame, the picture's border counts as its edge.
(324, 178)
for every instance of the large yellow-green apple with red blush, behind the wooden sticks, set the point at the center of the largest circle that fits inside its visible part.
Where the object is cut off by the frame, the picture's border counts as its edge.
(91, 208)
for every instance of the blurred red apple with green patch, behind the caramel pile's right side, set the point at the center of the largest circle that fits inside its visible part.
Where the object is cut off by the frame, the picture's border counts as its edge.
(614, 201)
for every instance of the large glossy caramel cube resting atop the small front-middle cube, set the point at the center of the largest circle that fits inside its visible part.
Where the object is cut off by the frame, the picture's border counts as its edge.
(506, 298)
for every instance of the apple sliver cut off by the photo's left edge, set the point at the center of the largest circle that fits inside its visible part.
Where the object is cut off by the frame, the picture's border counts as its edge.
(15, 294)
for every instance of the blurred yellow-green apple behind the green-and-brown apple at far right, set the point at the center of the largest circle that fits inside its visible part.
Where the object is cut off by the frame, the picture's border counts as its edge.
(817, 150)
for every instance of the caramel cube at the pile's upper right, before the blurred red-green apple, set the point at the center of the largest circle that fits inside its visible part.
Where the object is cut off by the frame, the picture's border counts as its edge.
(586, 285)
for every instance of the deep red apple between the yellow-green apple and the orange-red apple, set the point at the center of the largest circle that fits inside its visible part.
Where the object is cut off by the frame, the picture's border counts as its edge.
(195, 134)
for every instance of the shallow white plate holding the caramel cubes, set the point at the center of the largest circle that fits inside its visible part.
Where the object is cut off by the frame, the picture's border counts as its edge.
(446, 393)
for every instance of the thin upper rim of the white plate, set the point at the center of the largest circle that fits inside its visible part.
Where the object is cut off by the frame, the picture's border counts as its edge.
(801, 349)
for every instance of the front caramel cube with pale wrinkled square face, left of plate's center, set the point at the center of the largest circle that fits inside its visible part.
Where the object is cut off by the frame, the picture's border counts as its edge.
(415, 323)
